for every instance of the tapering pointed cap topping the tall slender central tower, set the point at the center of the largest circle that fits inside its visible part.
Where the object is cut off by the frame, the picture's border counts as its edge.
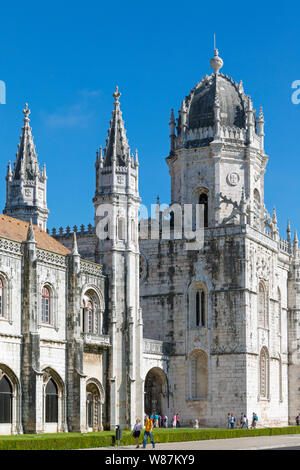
(116, 148)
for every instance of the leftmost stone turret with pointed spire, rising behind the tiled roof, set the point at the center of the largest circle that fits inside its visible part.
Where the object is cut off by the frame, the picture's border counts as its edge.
(26, 184)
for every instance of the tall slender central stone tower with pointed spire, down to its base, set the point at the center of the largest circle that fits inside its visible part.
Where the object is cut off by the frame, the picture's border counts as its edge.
(116, 219)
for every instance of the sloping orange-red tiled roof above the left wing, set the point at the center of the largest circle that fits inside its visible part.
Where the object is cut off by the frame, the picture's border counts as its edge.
(15, 229)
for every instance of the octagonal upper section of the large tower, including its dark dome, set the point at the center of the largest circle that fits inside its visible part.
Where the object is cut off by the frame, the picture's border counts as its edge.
(217, 153)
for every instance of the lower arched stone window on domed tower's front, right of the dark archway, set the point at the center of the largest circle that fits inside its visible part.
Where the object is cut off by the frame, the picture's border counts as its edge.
(198, 375)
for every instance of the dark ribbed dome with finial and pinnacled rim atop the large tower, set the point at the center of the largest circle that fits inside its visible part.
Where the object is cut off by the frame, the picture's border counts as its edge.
(216, 107)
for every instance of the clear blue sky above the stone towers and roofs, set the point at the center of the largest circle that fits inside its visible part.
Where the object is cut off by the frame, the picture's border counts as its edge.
(65, 59)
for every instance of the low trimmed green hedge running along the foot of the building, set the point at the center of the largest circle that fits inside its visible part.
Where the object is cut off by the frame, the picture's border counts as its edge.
(66, 441)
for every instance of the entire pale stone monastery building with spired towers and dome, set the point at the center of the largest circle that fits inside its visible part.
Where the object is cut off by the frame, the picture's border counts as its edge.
(222, 322)
